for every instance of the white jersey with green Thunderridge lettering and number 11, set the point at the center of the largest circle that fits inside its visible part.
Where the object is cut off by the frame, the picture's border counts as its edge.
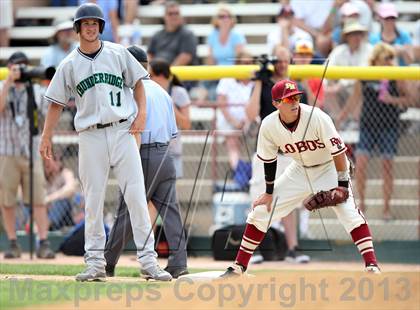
(100, 85)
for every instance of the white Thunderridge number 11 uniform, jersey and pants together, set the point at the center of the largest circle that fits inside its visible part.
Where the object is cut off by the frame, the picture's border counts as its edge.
(101, 87)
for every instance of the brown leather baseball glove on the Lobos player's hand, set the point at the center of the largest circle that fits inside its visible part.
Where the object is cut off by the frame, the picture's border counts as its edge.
(324, 199)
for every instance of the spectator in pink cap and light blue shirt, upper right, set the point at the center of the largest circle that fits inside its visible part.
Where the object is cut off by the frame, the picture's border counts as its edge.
(390, 34)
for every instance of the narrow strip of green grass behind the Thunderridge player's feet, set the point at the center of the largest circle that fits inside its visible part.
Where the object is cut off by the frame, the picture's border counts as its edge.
(67, 270)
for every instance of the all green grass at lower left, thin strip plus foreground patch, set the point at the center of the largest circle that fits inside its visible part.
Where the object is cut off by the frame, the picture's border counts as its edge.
(26, 292)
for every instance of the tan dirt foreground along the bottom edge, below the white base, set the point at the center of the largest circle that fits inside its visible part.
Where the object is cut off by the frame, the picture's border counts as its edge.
(308, 289)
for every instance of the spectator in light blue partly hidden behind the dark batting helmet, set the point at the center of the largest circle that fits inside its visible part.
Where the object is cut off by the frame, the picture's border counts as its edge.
(110, 9)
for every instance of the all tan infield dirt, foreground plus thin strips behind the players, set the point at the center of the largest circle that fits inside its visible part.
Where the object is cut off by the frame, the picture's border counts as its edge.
(275, 285)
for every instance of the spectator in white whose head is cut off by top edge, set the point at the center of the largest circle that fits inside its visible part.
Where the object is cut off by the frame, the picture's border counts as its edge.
(311, 16)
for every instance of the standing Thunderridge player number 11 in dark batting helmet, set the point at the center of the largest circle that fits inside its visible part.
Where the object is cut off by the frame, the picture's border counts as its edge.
(100, 75)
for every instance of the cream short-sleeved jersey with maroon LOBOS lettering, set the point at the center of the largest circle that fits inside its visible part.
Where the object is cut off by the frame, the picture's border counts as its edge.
(318, 146)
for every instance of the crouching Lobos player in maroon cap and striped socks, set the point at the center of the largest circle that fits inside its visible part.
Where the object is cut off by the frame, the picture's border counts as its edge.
(308, 136)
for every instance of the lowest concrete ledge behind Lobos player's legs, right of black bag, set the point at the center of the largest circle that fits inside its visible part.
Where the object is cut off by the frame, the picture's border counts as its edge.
(381, 230)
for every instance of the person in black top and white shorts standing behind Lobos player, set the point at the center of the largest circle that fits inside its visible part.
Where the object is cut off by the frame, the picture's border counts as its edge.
(260, 105)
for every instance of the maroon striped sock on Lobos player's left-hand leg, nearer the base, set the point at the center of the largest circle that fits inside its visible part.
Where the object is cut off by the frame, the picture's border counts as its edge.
(250, 241)
